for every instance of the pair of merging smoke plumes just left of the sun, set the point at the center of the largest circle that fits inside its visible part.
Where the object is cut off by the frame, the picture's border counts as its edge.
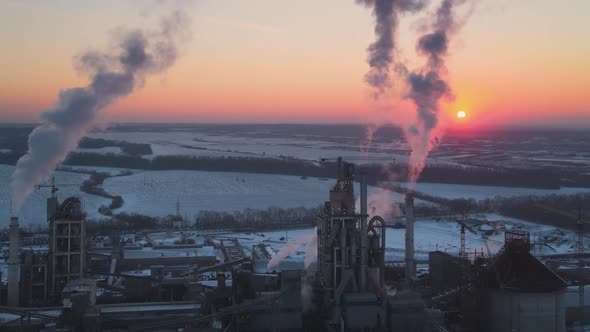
(426, 87)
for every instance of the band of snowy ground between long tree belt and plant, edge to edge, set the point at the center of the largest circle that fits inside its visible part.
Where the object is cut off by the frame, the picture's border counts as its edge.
(156, 193)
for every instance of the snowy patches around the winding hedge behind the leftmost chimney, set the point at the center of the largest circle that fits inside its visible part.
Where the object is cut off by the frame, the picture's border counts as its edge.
(34, 208)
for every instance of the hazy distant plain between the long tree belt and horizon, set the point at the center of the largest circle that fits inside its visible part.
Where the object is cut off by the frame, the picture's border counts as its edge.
(565, 153)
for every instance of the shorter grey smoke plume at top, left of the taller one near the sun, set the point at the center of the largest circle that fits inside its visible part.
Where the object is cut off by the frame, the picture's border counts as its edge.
(382, 51)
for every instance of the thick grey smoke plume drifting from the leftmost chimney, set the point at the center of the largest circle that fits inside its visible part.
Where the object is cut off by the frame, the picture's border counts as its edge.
(112, 75)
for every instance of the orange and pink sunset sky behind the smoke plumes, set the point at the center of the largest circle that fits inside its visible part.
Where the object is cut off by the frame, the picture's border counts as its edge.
(524, 62)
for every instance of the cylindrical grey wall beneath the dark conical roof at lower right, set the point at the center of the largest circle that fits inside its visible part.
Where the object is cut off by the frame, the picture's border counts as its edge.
(526, 312)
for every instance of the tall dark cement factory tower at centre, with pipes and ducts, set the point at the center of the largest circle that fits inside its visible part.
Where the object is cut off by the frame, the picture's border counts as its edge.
(350, 256)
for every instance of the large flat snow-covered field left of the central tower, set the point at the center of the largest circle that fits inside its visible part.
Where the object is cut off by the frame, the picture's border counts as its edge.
(156, 192)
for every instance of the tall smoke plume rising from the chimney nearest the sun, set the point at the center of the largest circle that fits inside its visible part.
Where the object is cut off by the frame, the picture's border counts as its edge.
(427, 87)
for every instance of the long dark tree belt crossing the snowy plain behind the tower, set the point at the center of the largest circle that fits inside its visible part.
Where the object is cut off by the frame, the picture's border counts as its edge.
(452, 174)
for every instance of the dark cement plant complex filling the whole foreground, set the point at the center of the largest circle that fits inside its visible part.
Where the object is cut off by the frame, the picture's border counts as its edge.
(69, 284)
